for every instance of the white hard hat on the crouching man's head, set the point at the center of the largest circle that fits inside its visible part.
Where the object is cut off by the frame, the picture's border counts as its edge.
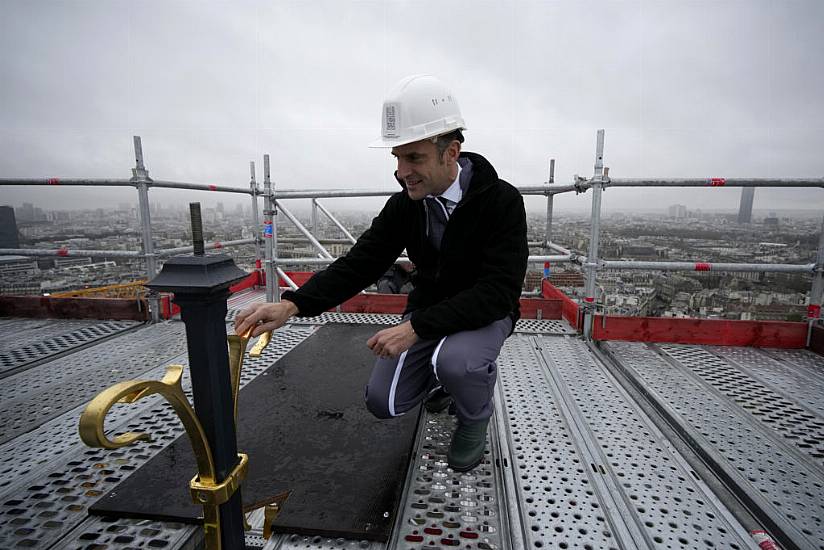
(418, 107)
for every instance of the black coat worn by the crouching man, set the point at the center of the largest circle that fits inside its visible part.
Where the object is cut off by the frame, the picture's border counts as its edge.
(475, 279)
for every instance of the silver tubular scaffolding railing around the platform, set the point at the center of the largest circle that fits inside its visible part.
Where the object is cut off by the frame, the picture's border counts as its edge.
(265, 238)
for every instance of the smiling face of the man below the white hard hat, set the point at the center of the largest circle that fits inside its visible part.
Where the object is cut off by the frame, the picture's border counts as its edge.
(424, 171)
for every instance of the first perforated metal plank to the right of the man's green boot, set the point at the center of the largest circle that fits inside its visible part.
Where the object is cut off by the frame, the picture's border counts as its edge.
(559, 508)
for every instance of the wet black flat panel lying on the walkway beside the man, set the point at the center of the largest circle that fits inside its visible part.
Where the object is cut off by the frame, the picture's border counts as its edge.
(306, 430)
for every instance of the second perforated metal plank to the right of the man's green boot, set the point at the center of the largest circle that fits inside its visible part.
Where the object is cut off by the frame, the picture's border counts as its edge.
(658, 494)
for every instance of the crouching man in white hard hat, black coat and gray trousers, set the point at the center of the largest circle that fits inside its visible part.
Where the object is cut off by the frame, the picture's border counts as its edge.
(465, 231)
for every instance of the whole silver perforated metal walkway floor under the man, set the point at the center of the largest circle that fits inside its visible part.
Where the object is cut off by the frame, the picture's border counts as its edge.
(587, 448)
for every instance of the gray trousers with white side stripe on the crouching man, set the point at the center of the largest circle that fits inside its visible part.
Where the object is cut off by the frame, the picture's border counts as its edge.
(463, 363)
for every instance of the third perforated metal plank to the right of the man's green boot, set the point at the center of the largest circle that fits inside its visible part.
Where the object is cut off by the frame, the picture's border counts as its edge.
(783, 493)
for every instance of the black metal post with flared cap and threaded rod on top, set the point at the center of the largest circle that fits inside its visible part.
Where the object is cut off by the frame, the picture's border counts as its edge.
(201, 287)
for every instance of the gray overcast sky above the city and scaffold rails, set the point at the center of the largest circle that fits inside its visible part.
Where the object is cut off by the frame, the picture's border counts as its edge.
(683, 88)
